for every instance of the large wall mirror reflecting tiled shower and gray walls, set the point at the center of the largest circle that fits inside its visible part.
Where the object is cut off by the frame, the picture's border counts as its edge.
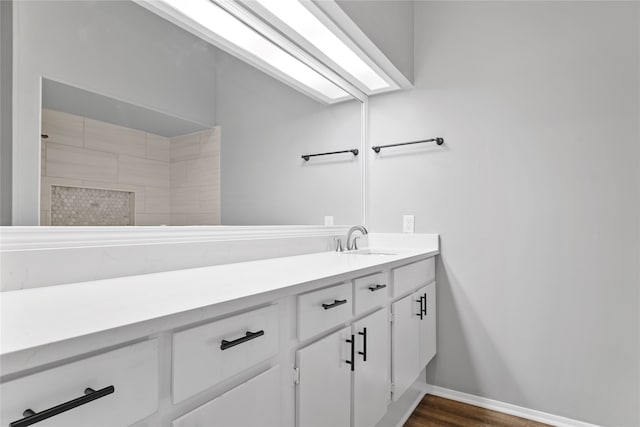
(135, 121)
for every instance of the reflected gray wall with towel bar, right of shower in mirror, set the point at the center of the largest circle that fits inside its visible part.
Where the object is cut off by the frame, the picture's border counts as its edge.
(265, 127)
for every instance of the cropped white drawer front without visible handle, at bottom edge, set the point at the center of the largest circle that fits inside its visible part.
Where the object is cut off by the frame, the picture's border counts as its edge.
(255, 403)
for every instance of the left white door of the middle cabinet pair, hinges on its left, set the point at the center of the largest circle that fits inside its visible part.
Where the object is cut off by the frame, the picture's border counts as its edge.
(324, 390)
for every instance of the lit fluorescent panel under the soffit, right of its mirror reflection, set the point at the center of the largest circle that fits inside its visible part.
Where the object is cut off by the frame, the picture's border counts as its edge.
(300, 19)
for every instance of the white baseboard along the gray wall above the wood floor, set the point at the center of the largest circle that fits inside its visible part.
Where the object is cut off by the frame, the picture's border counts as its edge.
(506, 408)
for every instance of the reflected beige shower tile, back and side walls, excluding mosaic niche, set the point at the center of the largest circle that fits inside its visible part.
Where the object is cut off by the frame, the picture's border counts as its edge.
(81, 152)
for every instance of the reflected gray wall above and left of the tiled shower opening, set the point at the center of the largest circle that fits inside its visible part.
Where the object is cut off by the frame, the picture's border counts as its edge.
(114, 48)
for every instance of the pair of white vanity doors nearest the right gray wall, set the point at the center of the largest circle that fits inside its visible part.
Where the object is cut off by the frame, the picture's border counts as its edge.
(413, 337)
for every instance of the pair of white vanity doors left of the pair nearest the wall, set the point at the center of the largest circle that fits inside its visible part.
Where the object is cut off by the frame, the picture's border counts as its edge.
(325, 393)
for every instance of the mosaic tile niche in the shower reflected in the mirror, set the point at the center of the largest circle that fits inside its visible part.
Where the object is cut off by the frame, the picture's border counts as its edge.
(91, 206)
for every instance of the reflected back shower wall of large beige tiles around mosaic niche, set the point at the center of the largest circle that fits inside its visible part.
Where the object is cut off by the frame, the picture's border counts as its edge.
(80, 152)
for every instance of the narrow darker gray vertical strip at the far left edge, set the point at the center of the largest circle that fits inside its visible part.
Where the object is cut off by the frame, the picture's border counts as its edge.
(6, 40)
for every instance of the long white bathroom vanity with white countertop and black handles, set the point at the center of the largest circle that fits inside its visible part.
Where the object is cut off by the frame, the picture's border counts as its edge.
(323, 339)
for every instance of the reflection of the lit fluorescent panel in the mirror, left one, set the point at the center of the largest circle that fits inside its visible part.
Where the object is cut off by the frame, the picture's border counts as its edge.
(225, 25)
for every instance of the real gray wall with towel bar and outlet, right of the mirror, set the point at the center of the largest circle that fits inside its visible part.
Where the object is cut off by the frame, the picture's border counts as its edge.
(536, 196)
